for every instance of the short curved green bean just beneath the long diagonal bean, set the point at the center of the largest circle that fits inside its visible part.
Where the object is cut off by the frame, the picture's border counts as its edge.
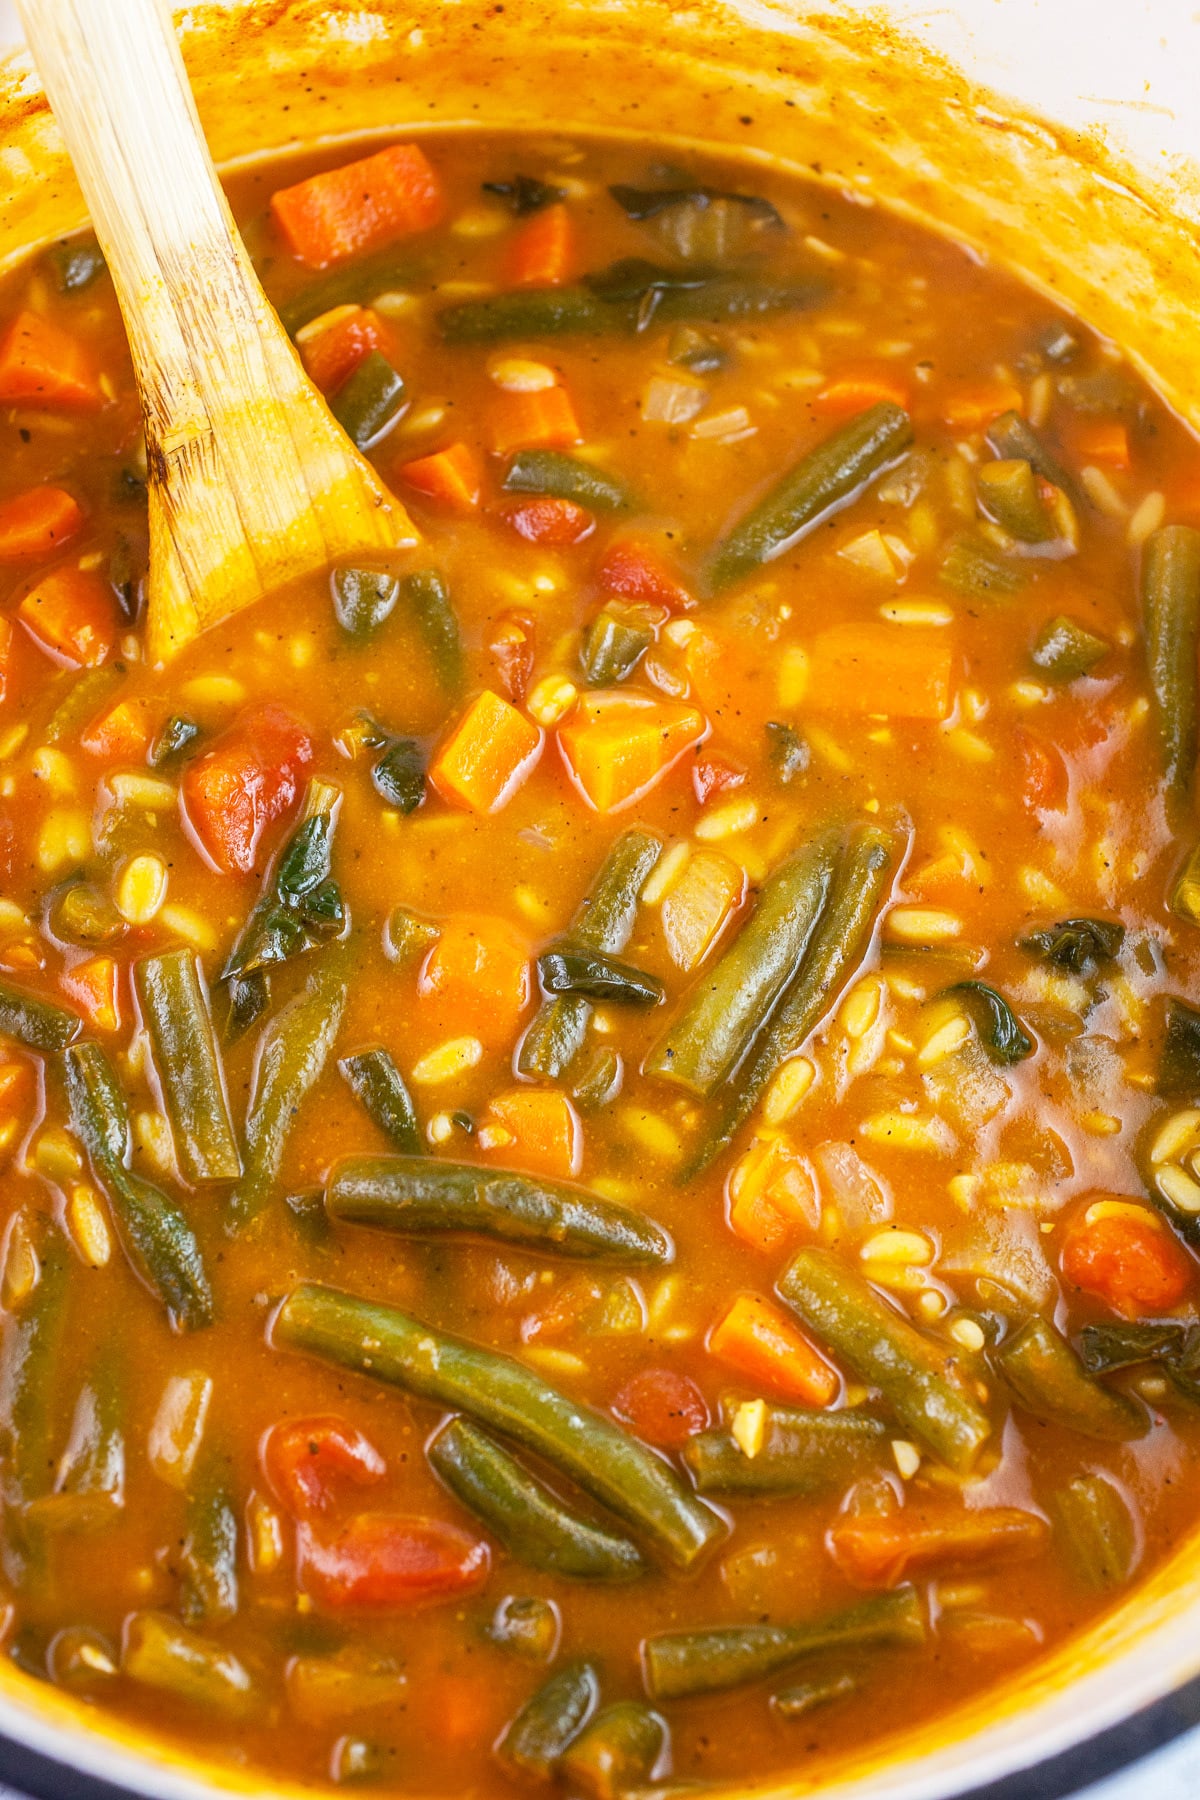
(533, 1525)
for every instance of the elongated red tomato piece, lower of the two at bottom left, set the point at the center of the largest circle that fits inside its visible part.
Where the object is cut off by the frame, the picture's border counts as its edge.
(390, 1561)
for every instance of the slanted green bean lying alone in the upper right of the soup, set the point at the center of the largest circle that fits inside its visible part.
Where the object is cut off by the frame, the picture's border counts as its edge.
(827, 480)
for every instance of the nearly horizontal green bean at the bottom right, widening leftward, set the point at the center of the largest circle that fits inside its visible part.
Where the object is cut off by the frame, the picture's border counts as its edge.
(704, 1662)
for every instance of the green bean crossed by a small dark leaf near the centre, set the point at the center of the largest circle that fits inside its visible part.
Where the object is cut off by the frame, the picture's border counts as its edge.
(604, 922)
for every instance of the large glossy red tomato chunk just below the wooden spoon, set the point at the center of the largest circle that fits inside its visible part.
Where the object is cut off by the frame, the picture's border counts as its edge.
(247, 780)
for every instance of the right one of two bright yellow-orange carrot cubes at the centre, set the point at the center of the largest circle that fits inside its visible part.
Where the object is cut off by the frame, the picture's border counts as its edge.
(618, 746)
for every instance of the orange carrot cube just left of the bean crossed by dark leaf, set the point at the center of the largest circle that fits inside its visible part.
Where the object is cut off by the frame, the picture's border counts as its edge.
(478, 975)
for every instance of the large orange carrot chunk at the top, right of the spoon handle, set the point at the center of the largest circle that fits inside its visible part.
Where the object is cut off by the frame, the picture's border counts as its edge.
(363, 206)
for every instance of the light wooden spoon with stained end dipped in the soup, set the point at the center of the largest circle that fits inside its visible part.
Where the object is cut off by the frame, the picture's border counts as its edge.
(251, 480)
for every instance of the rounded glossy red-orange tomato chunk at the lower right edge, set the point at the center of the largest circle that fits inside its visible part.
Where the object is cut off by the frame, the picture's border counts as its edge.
(1124, 1254)
